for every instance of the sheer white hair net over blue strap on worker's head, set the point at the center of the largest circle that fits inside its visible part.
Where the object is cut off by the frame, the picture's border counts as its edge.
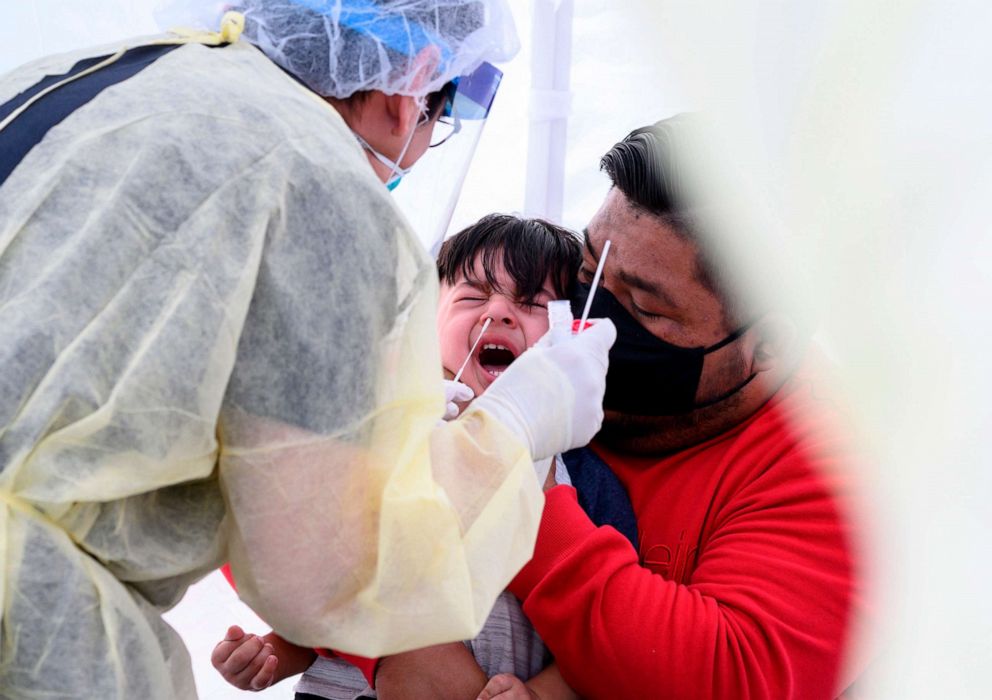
(340, 47)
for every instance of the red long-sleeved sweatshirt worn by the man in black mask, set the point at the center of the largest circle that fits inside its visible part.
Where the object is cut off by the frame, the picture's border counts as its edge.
(743, 581)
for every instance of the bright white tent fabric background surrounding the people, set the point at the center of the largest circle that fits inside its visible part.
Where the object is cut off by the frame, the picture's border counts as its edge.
(868, 130)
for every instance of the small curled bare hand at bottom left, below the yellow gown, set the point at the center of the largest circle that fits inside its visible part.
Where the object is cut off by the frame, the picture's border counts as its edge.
(250, 662)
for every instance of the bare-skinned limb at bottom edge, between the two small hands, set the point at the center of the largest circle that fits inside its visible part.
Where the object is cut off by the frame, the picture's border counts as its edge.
(445, 671)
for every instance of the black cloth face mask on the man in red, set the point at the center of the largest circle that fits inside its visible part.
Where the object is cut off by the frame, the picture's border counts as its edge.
(647, 376)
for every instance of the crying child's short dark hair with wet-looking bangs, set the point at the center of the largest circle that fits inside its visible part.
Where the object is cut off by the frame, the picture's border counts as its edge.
(530, 251)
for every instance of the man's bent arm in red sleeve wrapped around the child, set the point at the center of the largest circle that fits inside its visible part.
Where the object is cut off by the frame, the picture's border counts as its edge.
(763, 615)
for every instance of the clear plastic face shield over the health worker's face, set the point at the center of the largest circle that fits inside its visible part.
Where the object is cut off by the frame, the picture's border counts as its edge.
(430, 191)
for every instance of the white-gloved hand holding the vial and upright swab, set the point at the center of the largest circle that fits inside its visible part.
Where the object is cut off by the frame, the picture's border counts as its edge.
(552, 395)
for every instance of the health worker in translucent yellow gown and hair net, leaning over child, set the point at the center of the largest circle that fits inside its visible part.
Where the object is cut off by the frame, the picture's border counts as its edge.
(217, 340)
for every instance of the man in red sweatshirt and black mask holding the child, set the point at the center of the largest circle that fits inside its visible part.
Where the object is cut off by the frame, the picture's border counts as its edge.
(744, 580)
